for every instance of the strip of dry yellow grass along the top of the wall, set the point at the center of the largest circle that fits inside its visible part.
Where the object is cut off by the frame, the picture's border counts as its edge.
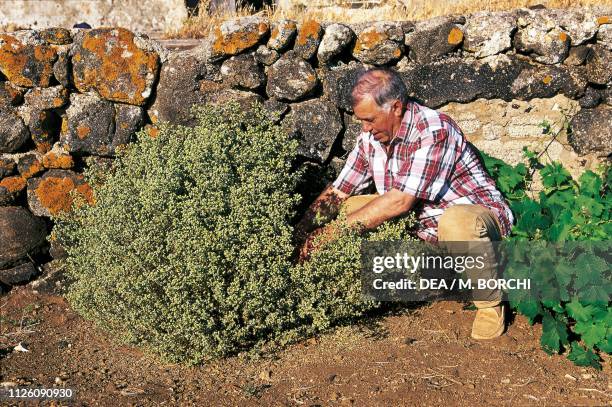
(396, 10)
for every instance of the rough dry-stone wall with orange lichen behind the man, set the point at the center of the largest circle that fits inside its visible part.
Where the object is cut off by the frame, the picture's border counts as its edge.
(69, 99)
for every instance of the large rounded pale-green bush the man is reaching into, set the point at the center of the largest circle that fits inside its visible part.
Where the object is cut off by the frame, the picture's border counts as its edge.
(188, 248)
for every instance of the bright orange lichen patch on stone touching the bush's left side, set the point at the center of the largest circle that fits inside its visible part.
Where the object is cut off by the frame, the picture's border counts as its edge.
(56, 195)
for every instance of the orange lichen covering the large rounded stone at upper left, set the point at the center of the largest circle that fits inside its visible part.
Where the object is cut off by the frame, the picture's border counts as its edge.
(119, 76)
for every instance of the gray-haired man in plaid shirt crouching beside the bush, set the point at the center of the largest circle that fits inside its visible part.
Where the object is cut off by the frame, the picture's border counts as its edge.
(419, 160)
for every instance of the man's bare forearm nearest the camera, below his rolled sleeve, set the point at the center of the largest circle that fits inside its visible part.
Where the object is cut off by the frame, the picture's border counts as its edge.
(387, 206)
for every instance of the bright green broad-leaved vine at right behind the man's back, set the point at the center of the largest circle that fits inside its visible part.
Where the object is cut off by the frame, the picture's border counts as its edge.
(572, 282)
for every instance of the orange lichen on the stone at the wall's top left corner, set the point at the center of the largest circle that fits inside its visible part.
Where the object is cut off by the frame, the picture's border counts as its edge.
(25, 65)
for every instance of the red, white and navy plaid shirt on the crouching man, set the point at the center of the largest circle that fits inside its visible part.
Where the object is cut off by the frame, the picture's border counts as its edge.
(430, 159)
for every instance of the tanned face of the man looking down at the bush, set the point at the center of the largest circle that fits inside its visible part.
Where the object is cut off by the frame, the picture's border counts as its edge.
(381, 121)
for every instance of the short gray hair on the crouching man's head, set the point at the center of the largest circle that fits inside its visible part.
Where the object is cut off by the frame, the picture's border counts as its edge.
(384, 85)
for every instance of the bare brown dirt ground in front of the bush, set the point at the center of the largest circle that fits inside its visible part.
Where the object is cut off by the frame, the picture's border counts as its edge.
(418, 357)
